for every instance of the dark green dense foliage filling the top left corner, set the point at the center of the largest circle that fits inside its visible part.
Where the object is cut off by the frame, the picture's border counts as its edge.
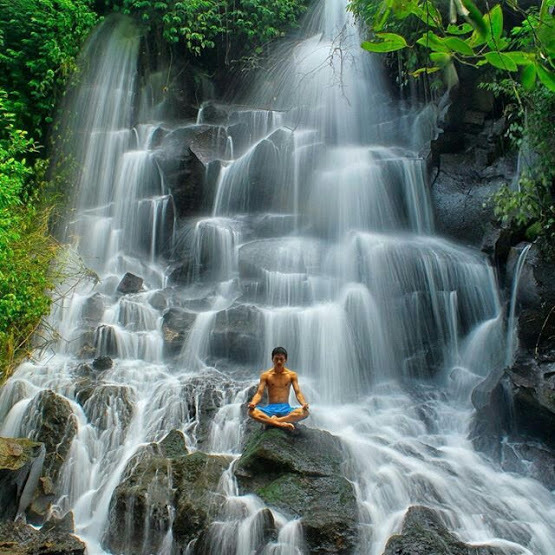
(39, 40)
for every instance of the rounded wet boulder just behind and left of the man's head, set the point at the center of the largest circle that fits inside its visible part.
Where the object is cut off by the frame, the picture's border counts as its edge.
(236, 335)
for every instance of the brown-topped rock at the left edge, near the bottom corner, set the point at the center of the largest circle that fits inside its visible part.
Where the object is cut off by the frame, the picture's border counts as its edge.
(21, 463)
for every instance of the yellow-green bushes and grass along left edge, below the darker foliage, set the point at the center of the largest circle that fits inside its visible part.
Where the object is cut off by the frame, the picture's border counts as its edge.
(25, 246)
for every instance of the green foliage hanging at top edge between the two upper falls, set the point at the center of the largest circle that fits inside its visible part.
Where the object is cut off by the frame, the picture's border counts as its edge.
(202, 24)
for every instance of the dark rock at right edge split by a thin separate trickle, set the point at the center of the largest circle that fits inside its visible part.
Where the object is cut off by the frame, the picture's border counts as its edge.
(535, 298)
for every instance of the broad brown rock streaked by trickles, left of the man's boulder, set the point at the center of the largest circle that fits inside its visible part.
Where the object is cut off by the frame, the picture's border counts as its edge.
(168, 488)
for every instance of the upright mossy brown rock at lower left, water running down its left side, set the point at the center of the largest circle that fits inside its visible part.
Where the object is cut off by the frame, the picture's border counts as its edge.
(50, 419)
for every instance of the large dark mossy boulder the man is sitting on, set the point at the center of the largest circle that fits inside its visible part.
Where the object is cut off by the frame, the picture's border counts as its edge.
(300, 475)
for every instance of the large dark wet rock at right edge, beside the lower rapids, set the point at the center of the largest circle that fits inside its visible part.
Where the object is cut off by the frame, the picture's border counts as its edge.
(515, 418)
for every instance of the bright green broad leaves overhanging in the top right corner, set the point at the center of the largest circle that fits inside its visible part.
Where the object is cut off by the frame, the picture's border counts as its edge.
(479, 40)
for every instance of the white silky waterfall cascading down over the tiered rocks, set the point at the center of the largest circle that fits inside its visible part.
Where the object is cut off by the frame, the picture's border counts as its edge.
(324, 238)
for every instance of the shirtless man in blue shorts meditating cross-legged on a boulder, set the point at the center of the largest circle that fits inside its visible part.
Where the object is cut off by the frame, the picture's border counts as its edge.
(278, 380)
